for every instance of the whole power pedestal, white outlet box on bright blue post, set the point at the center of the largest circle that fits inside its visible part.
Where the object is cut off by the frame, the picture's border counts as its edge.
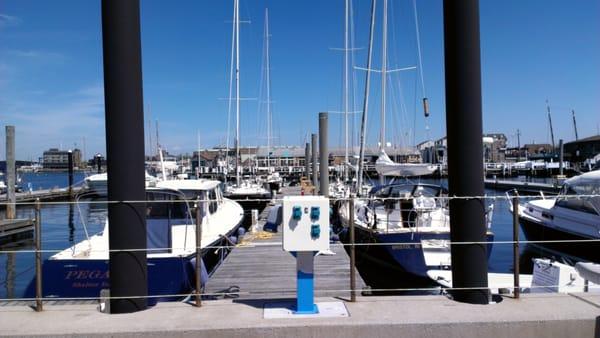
(305, 233)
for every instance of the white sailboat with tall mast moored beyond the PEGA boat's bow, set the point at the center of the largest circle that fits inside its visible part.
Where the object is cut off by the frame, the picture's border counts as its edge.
(249, 193)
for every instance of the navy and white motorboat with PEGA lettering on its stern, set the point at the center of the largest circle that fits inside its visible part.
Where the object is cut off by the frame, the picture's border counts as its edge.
(82, 270)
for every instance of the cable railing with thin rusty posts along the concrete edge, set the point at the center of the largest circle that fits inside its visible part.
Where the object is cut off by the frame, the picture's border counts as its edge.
(351, 244)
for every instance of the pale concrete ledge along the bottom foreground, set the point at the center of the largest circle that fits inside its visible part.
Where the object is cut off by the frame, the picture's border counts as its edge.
(542, 315)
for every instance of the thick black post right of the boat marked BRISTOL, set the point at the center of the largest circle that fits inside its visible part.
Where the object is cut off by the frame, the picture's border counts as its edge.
(465, 150)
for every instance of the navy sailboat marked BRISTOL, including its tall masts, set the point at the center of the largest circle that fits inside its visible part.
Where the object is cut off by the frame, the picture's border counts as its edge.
(403, 228)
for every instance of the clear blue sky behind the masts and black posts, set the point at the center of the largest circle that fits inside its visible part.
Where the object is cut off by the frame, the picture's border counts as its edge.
(51, 84)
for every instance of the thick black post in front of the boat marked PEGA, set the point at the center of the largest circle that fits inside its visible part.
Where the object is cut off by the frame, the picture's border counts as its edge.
(123, 101)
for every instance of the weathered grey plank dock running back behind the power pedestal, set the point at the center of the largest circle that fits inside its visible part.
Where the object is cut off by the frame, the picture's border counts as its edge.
(258, 268)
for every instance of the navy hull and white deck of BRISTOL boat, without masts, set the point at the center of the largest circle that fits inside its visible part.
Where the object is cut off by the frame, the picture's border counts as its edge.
(406, 227)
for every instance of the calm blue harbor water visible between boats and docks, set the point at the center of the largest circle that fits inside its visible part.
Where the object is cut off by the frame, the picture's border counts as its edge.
(63, 226)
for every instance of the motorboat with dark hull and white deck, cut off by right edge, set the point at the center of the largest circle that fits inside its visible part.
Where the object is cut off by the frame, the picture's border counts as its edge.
(558, 223)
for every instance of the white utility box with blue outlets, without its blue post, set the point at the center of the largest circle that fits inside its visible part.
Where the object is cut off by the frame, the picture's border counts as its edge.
(305, 223)
